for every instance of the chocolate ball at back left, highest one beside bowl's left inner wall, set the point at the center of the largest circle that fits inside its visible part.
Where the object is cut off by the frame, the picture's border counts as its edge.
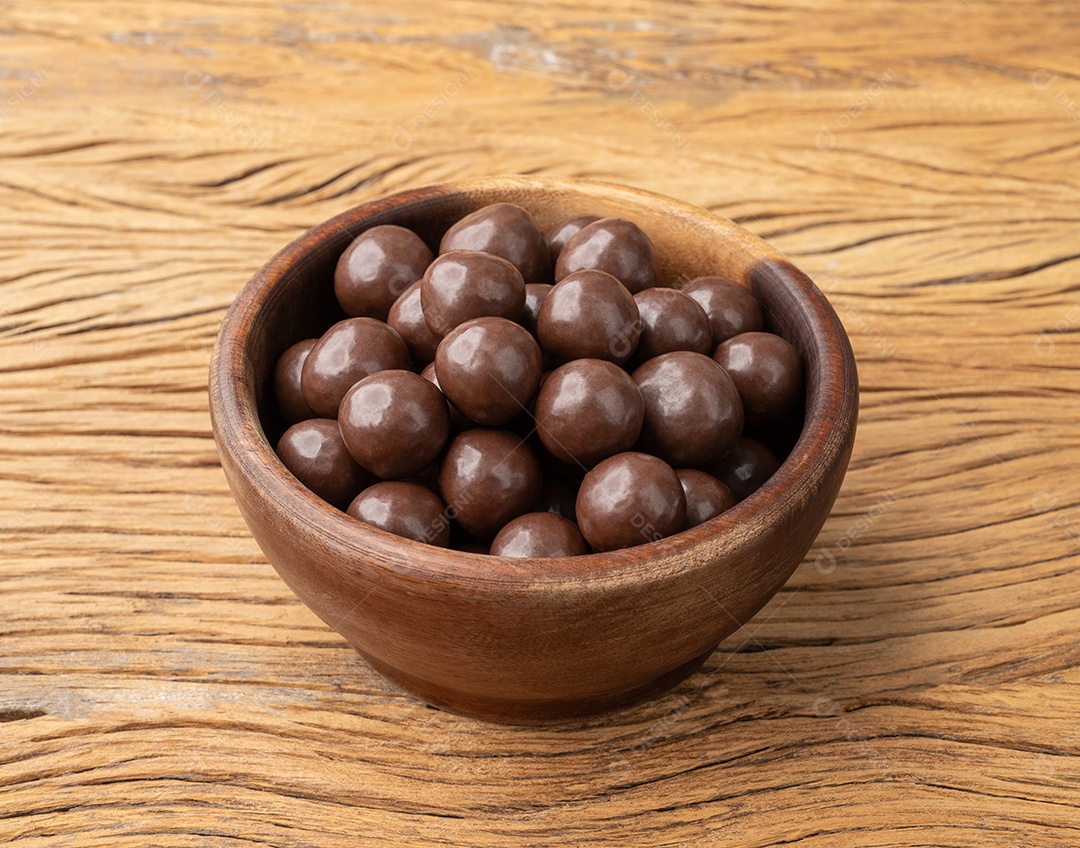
(380, 265)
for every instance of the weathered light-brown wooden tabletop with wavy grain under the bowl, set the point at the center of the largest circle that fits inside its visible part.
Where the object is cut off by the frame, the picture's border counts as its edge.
(917, 681)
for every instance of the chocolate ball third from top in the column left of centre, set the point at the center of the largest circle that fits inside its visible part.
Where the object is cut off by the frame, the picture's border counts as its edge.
(490, 369)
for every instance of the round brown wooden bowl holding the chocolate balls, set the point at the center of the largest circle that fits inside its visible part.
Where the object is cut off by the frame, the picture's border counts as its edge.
(524, 641)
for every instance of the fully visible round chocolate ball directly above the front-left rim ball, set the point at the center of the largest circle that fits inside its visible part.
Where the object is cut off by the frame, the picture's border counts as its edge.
(395, 424)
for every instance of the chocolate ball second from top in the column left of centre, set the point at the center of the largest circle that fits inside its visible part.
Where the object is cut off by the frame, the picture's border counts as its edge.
(467, 285)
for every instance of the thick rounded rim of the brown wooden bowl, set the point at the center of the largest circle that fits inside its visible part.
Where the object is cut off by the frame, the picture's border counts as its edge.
(830, 416)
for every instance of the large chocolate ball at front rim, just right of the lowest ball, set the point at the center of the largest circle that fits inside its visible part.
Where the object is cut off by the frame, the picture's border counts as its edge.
(630, 500)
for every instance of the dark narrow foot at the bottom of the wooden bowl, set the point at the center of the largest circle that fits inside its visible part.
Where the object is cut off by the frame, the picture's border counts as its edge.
(520, 712)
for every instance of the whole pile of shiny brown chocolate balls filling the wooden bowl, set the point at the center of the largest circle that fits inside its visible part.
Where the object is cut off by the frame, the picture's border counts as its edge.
(531, 395)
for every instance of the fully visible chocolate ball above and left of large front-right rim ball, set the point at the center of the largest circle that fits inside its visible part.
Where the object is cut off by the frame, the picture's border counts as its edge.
(587, 411)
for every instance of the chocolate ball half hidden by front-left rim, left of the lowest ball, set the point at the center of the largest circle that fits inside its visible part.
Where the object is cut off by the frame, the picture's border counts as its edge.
(404, 509)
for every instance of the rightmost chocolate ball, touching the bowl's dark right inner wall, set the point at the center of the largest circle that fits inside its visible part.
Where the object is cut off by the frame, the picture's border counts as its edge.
(766, 371)
